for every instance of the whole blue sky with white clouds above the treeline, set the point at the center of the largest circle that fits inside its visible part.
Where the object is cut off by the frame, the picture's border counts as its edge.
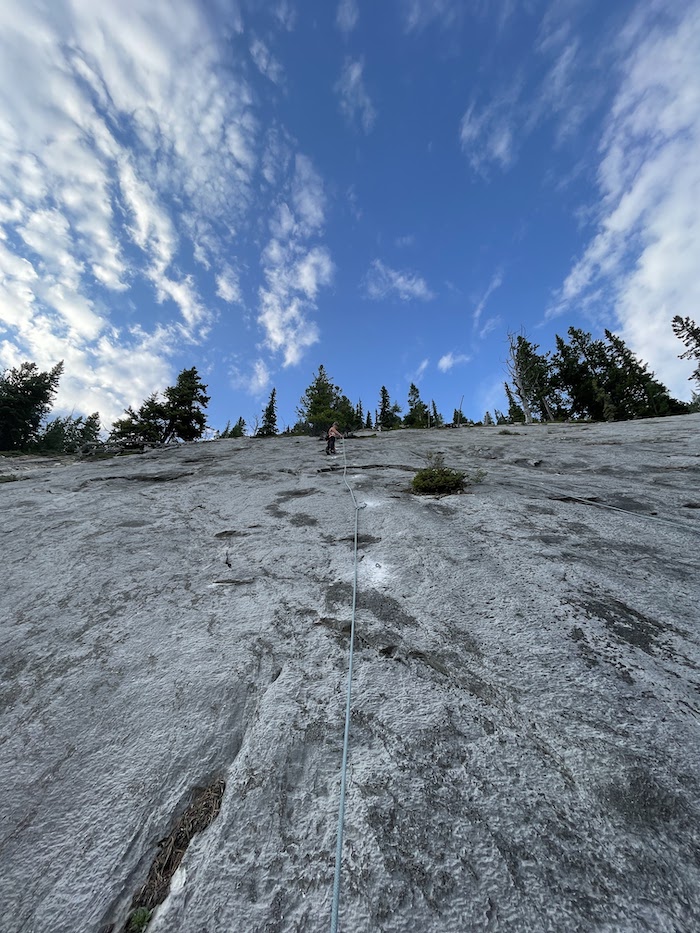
(388, 188)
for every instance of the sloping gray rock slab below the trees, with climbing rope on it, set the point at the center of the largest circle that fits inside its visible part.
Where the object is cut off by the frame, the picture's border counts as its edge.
(524, 745)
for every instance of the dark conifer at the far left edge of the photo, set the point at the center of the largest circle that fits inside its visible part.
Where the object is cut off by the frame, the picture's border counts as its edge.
(26, 395)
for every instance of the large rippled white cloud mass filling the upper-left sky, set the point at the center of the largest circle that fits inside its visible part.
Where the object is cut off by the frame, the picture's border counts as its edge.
(116, 160)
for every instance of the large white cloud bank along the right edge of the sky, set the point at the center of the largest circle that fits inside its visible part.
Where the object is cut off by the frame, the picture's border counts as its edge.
(643, 257)
